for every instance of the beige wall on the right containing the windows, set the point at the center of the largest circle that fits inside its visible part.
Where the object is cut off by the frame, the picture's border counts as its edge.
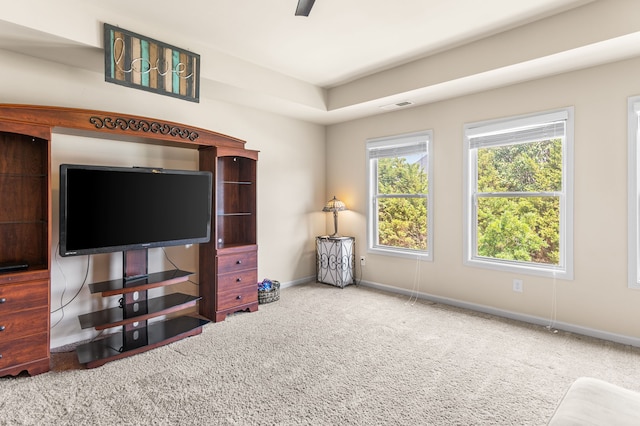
(597, 300)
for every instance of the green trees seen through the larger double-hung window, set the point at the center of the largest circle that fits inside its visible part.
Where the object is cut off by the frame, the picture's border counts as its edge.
(518, 210)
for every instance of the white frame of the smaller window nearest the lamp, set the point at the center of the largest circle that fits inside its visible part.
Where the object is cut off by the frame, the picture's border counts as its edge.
(398, 141)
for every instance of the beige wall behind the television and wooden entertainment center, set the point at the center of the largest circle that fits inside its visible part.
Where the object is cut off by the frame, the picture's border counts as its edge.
(291, 176)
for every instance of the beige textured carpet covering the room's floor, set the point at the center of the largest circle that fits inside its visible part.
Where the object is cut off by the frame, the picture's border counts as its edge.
(326, 356)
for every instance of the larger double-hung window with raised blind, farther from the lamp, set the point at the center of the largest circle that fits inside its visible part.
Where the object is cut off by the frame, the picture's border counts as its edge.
(518, 194)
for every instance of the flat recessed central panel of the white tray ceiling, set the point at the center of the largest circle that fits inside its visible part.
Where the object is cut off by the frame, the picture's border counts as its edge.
(340, 40)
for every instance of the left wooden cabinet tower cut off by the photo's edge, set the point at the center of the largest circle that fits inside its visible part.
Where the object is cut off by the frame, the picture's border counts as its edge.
(25, 216)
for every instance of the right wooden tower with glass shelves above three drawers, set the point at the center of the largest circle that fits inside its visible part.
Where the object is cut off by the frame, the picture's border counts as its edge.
(233, 285)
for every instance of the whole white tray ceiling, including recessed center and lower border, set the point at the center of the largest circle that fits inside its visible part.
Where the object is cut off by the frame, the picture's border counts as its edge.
(347, 59)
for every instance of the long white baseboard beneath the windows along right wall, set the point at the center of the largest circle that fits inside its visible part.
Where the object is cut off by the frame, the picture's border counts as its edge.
(545, 322)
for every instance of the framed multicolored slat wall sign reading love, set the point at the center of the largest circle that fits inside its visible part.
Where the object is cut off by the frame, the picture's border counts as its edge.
(144, 63)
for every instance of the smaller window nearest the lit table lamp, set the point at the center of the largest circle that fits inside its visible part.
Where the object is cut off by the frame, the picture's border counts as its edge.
(399, 219)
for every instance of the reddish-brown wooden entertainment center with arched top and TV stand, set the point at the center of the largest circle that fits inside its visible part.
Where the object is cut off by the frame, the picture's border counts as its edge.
(227, 264)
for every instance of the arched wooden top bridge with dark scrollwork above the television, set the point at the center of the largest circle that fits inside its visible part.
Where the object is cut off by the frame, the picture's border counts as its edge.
(117, 124)
